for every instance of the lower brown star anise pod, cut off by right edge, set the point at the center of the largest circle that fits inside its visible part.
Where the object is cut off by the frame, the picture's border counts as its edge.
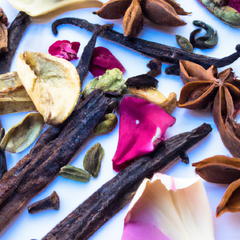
(230, 201)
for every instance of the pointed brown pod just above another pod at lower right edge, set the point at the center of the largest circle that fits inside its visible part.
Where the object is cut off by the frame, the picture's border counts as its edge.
(219, 169)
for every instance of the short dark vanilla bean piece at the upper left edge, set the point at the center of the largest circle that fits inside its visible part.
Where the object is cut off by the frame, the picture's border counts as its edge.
(15, 33)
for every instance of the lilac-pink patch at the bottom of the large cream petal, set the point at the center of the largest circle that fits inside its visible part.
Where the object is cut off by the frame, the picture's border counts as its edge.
(142, 231)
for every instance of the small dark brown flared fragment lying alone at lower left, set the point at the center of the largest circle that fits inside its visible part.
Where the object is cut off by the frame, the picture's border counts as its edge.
(51, 202)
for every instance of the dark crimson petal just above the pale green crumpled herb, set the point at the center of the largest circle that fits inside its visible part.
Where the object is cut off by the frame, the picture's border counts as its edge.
(102, 60)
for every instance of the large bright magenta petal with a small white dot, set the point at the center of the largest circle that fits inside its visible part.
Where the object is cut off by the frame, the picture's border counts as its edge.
(142, 127)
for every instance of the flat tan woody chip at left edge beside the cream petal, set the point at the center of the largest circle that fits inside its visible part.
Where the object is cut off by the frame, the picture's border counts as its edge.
(13, 96)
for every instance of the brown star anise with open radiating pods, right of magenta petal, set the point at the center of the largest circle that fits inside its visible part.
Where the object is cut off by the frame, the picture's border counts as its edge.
(206, 89)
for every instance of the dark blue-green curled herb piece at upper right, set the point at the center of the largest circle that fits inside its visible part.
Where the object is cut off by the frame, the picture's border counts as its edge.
(208, 41)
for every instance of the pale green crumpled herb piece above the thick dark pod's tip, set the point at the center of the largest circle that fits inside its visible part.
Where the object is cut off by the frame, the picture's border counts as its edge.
(111, 82)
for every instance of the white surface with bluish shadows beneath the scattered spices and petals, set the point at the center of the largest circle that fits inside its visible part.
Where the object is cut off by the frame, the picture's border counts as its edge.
(39, 38)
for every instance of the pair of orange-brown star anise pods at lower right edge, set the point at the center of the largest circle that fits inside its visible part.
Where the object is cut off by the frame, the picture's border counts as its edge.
(223, 170)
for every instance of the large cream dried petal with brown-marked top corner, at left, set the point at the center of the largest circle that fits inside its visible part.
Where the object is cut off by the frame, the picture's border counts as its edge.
(52, 83)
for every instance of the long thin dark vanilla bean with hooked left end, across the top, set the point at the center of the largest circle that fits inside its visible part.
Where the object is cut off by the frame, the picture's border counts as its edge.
(166, 54)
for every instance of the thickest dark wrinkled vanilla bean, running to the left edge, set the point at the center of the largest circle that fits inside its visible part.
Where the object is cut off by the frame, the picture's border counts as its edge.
(33, 174)
